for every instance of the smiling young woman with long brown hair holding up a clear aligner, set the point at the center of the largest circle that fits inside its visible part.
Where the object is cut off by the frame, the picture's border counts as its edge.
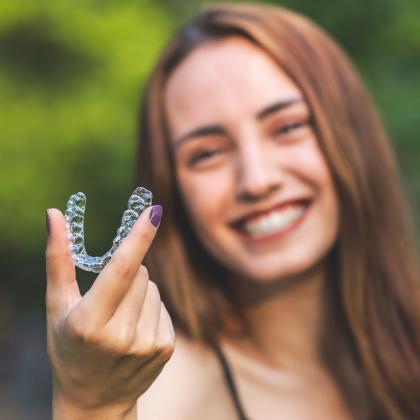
(284, 256)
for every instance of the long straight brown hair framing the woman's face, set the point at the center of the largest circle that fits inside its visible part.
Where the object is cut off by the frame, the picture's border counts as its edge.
(373, 291)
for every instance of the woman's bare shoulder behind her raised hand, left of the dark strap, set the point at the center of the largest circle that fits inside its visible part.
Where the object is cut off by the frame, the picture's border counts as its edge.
(189, 381)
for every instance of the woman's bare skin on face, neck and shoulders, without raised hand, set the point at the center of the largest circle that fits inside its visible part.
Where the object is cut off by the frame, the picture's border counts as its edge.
(234, 158)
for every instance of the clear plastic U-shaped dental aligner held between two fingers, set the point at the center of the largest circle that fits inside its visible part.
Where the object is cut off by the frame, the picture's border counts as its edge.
(139, 200)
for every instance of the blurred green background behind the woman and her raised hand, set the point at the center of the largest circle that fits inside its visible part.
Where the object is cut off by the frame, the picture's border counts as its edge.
(71, 77)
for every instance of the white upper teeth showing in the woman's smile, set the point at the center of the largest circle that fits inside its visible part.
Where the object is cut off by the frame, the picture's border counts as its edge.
(276, 220)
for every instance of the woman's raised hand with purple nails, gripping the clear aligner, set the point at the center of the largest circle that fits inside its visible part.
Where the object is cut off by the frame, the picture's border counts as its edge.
(108, 346)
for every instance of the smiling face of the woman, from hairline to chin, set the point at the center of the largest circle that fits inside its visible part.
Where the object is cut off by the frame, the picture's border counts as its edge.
(248, 164)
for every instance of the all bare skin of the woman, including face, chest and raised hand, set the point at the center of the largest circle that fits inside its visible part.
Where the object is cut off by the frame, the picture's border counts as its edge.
(252, 163)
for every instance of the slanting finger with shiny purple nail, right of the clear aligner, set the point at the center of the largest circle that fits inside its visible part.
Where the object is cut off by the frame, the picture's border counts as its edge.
(116, 278)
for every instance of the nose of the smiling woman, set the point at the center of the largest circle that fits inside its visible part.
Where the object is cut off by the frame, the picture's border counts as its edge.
(257, 175)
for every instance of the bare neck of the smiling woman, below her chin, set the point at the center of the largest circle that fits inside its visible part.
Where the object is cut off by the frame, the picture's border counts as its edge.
(284, 320)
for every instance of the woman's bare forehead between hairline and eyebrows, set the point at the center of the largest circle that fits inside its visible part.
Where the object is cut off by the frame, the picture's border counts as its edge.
(223, 77)
